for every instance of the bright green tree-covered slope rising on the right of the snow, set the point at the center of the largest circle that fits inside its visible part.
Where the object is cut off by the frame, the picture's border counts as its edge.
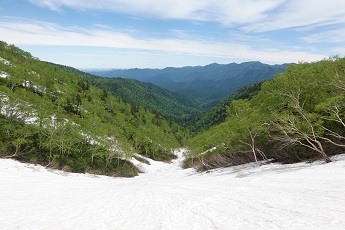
(300, 114)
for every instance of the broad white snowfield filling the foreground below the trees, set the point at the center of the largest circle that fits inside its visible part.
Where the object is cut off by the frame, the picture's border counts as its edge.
(299, 196)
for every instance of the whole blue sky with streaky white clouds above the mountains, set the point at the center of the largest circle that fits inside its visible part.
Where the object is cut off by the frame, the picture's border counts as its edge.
(161, 33)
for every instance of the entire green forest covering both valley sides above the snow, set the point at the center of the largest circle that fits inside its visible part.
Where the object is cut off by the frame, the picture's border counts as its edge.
(65, 119)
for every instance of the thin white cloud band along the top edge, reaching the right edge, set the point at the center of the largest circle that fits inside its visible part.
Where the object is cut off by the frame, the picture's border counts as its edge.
(251, 15)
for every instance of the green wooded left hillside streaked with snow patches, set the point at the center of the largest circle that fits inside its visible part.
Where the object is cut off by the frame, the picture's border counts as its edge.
(54, 118)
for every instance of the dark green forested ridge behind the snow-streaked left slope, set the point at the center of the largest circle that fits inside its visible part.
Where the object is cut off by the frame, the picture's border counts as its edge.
(170, 104)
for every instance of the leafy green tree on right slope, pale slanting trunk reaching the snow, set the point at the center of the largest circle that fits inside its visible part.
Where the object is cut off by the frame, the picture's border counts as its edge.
(291, 97)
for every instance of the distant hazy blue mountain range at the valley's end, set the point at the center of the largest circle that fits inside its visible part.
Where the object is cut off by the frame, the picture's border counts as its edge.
(208, 83)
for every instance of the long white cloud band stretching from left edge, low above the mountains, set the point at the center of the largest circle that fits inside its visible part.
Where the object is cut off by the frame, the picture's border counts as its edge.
(41, 33)
